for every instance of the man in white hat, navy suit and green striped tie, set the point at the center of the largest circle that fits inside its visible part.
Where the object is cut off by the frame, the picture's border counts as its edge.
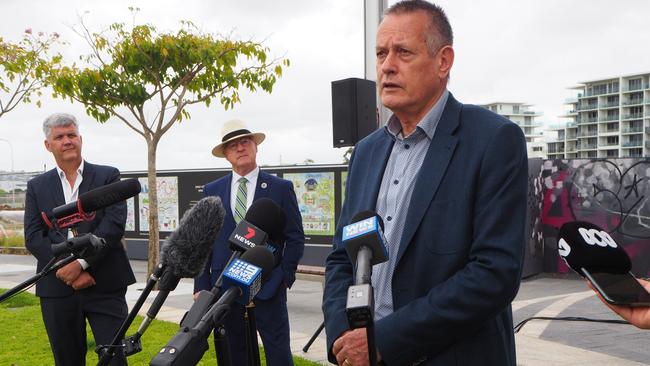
(238, 190)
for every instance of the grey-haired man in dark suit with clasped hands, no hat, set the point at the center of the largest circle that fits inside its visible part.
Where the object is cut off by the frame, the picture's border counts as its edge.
(90, 288)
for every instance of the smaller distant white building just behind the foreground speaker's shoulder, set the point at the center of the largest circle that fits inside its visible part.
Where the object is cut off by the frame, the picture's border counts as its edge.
(520, 114)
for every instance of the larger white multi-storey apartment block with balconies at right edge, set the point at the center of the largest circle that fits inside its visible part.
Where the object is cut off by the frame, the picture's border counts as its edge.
(608, 118)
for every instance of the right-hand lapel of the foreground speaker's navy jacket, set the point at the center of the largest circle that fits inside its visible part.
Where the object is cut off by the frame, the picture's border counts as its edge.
(433, 169)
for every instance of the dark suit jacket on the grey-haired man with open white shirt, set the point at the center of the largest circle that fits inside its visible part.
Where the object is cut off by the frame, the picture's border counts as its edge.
(110, 268)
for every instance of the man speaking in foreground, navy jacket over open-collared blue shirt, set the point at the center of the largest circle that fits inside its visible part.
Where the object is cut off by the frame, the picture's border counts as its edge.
(449, 181)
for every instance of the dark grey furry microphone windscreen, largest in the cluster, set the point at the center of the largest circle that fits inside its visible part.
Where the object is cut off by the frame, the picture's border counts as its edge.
(187, 249)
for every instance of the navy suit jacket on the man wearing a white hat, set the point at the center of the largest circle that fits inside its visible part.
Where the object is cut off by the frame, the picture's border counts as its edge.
(281, 192)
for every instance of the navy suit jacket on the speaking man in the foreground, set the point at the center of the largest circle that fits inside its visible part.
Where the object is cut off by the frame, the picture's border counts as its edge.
(461, 253)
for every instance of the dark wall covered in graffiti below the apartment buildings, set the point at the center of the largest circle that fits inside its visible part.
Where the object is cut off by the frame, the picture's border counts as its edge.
(613, 194)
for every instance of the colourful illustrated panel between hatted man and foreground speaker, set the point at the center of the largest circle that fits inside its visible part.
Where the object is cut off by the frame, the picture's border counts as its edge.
(315, 193)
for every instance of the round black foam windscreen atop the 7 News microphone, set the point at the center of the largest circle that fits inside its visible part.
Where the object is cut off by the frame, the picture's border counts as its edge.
(268, 216)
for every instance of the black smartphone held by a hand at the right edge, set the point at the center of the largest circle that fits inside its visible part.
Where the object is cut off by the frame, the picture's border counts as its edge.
(619, 288)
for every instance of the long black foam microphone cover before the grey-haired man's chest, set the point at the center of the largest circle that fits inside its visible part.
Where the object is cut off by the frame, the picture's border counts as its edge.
(109, 194)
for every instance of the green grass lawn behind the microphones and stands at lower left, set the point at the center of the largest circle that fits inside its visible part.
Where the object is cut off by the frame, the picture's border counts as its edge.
(23, 340)
